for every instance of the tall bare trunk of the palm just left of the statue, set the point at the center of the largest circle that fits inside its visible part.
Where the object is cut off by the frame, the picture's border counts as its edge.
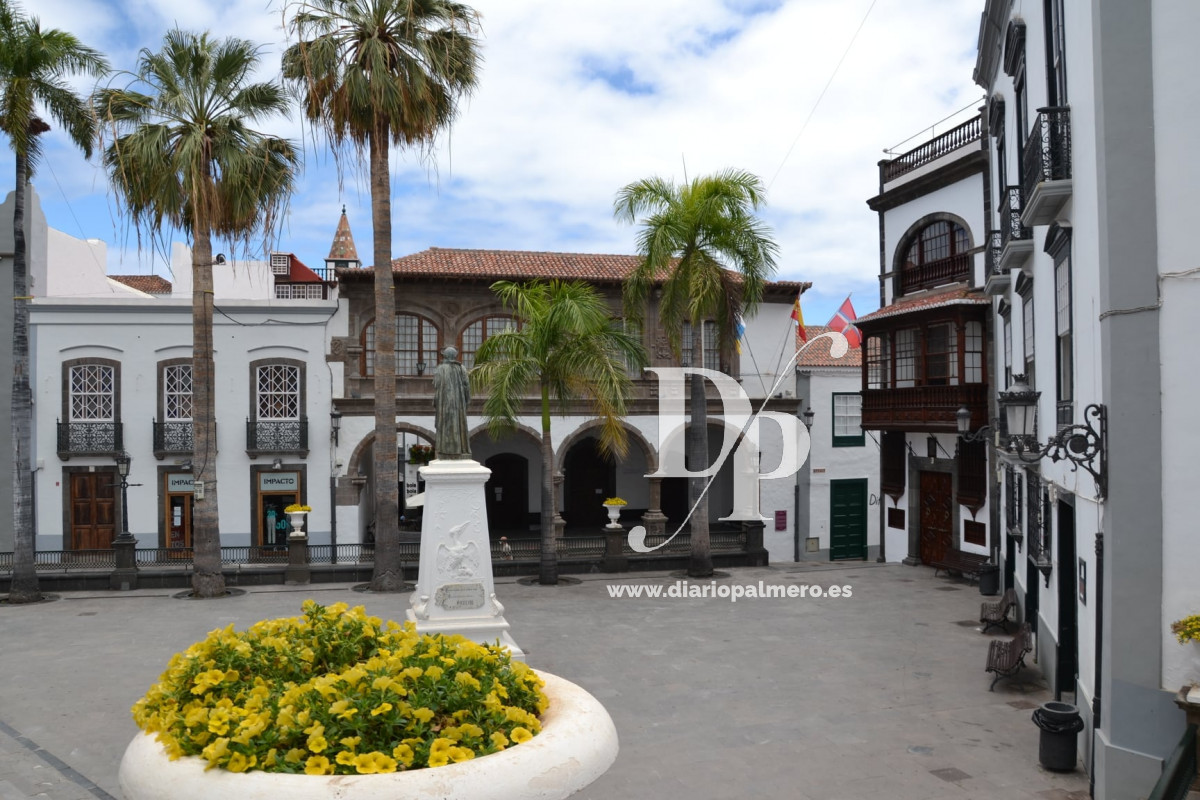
(388, 575)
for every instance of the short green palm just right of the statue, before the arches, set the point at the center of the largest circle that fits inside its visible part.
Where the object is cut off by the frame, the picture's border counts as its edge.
(567, 347)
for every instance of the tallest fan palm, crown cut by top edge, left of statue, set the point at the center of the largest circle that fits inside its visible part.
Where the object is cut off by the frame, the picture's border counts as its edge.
(373, 74)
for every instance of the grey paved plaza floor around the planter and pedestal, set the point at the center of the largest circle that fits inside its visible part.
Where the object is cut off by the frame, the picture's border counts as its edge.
(879, 695)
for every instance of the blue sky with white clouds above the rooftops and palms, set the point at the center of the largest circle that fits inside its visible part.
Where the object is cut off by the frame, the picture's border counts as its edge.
(579, 99)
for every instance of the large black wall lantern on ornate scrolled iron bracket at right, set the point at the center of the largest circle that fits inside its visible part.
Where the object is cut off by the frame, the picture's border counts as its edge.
(1084, 446)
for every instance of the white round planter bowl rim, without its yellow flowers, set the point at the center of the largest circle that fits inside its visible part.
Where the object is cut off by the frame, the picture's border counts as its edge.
(578, 744)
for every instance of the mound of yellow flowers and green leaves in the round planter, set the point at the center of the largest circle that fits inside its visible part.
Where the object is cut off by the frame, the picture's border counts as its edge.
(337, 691)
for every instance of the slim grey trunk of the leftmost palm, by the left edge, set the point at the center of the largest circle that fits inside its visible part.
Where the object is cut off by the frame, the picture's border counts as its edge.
(25, 578)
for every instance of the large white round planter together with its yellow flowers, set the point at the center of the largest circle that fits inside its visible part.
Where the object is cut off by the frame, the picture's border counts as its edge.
(335, 703)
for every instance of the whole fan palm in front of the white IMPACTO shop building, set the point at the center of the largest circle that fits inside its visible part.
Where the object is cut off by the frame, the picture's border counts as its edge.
(183, 155)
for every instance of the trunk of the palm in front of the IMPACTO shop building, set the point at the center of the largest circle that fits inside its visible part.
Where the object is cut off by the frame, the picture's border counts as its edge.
(207, 579)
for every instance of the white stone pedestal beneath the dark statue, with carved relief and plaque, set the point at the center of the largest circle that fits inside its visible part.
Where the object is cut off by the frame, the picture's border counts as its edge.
(455, 593)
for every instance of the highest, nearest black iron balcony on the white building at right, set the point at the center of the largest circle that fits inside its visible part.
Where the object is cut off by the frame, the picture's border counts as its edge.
(1046, 167)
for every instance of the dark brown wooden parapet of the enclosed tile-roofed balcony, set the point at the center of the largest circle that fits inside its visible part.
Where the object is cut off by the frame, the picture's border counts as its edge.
(925, 410)
